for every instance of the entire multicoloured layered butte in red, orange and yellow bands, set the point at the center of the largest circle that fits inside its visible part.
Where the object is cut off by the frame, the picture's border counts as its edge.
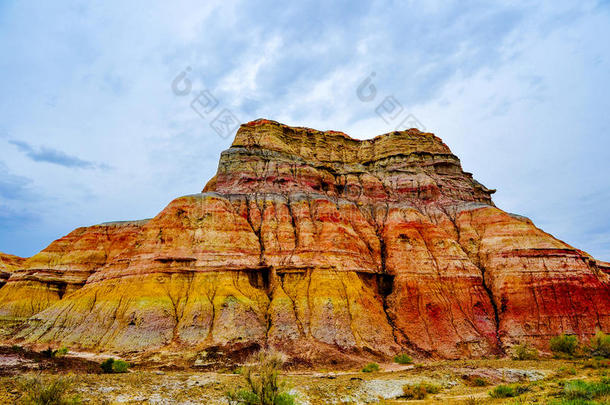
(322, 246)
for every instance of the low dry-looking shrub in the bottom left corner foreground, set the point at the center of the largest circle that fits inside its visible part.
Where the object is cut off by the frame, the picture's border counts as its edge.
(53, 391)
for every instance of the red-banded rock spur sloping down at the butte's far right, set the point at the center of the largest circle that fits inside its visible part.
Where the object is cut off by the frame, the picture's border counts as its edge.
(541, 286)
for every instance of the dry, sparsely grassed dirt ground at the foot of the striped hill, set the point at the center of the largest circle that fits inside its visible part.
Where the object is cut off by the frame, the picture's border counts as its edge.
(459, 381)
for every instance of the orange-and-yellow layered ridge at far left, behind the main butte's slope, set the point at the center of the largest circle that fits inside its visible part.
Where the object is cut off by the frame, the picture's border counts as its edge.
(63, 267)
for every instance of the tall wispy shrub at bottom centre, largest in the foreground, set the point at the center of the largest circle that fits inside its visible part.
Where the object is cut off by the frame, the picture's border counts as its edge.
(262, 379)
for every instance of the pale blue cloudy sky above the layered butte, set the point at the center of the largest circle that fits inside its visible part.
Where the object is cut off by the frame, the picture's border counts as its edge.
(111, 109)
